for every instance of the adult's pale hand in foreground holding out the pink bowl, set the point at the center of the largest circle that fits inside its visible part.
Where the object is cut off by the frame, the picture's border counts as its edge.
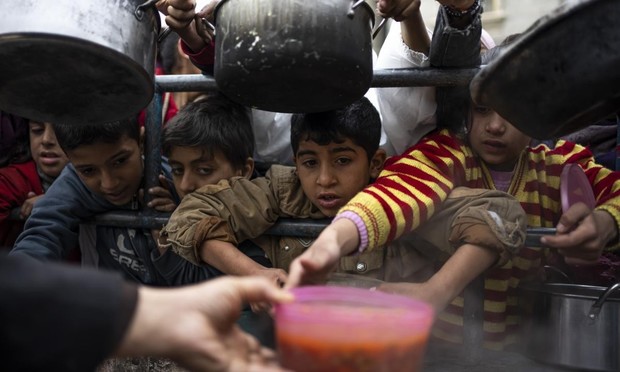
(196, 325)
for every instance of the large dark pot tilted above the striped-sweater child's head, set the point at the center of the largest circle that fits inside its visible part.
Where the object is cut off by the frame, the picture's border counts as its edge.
(561, 74)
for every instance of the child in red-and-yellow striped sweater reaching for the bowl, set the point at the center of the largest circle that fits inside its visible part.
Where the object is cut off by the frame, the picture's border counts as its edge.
(493, 155)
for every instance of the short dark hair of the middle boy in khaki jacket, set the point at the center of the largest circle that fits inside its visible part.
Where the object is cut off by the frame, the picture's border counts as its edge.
(360, 122)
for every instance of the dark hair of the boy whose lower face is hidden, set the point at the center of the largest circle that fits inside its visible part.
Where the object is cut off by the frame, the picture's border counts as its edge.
(213, 123)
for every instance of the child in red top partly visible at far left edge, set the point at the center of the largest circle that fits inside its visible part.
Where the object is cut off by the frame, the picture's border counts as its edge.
(23, 183)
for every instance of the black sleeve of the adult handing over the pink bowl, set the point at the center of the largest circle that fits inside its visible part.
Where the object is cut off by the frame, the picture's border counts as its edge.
(60, 318)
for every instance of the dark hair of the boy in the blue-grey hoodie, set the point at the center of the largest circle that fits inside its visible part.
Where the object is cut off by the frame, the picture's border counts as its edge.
(71, 136)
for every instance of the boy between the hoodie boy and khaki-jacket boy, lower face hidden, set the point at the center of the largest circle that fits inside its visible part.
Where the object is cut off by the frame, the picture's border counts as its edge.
(209, 140)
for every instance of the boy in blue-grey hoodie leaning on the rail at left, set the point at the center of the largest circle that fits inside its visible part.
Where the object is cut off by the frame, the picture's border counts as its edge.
(104, 174)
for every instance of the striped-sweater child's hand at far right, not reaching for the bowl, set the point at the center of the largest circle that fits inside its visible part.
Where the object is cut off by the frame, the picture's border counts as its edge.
(582, 234)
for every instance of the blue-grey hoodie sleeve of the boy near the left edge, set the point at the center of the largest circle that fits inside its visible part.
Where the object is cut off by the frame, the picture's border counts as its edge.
(53, 226)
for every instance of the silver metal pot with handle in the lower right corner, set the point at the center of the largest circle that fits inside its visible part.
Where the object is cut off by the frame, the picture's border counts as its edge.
(571, 325)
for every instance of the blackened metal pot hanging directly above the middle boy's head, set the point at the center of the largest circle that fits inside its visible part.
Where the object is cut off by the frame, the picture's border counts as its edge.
(293, 55)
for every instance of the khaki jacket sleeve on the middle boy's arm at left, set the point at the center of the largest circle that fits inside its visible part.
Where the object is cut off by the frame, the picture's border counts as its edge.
(235, 210)
